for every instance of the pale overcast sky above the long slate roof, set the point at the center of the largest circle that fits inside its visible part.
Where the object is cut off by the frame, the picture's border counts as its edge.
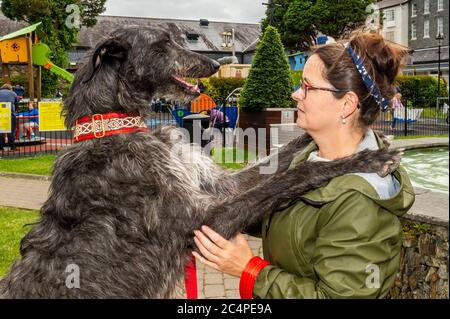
(250, 11)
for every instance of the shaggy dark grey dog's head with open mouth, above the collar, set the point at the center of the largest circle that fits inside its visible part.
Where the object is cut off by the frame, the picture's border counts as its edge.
(130, 67)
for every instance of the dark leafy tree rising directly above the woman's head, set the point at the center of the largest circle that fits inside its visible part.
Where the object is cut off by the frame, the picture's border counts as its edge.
(299, 21)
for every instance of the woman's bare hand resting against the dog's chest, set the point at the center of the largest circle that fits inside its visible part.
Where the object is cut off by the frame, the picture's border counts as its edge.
(228, 256)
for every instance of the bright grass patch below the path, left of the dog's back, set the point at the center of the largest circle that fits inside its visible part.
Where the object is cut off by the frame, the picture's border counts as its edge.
(12, 222)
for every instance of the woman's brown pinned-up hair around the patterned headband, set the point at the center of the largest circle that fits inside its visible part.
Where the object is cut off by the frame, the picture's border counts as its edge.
(382, 60)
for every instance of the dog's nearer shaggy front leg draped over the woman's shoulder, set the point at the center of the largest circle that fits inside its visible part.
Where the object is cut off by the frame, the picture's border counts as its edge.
(235, 214)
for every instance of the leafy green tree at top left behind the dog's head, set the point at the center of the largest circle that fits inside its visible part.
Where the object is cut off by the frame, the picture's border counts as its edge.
(59, 26)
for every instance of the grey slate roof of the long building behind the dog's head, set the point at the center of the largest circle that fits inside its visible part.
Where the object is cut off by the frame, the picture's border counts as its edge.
(210, 38)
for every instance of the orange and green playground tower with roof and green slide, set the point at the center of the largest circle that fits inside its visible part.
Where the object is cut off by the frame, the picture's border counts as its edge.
(23, 47)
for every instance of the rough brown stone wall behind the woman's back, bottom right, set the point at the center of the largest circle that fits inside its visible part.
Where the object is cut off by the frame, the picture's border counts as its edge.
(424, 260)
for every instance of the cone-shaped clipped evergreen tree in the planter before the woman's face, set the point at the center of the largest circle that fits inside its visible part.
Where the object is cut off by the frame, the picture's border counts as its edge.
(268, 83)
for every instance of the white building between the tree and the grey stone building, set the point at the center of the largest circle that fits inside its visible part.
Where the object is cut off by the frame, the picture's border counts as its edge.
(395, 20)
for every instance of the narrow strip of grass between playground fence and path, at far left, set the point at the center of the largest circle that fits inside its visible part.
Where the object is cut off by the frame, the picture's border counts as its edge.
(40, 165)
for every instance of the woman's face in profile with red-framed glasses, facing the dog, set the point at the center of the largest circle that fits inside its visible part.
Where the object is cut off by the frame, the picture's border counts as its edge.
(319, 110)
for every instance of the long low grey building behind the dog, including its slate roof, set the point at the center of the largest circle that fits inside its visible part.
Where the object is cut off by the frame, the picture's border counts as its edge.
(214, 39)
